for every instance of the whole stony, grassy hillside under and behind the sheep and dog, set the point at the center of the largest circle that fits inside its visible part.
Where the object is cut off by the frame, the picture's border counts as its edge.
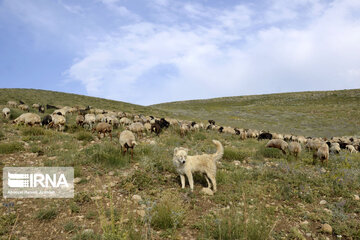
(261, 193)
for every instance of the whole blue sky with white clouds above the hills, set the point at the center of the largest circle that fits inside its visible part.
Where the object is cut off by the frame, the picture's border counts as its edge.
(153, 51)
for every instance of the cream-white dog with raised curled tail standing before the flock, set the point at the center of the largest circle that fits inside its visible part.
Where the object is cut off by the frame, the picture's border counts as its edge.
(205, 163)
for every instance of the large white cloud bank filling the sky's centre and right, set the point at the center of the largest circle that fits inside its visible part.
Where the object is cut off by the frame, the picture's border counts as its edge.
(236, 52)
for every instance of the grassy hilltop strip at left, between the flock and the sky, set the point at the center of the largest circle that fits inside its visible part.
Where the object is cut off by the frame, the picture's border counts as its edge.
(30, 96)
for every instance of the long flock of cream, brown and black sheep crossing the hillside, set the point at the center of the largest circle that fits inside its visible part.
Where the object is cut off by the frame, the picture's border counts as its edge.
(103, 121)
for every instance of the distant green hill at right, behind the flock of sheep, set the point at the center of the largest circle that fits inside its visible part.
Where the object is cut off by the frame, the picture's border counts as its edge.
(325, 113)
